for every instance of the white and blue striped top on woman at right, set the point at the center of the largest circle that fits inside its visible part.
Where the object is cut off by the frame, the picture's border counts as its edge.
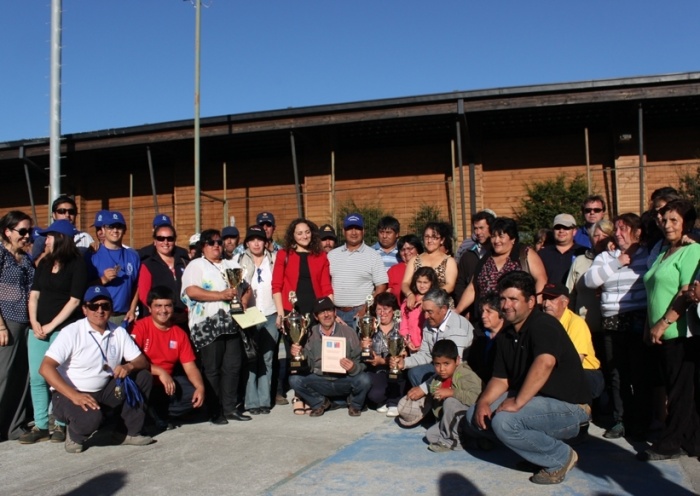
(623, 286)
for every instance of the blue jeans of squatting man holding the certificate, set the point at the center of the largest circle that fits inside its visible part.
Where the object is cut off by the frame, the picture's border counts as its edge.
(313, 389)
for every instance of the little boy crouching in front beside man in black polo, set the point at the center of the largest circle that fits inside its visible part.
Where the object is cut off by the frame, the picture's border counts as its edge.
(451, 391)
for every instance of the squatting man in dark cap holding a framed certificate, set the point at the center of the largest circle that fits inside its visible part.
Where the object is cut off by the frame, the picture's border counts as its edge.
(349, 381)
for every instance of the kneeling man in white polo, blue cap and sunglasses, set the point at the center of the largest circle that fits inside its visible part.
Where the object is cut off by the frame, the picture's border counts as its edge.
(82, 366)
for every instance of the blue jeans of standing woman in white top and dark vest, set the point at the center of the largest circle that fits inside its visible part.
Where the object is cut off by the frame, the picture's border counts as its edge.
(257, 391)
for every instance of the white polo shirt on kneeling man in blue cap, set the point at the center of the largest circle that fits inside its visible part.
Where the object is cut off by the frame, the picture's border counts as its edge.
(81, 352)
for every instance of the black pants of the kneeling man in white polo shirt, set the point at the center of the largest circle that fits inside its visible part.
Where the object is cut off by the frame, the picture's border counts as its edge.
(82, 424)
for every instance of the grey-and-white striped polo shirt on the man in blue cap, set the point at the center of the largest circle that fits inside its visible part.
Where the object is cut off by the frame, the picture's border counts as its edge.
(355, 274)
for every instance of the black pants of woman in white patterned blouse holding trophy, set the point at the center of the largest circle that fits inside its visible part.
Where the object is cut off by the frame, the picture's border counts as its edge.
(221, 367)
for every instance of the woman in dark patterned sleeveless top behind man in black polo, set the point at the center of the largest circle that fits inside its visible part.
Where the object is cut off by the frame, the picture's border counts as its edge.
(507, 255)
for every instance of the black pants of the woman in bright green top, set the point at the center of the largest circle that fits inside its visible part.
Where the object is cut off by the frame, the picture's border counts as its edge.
(680, 359)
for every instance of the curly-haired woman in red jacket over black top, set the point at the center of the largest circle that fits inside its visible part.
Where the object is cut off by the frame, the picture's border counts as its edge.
(301, 266)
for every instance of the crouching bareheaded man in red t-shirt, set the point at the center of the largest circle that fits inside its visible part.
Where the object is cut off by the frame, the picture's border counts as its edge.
(167, 346)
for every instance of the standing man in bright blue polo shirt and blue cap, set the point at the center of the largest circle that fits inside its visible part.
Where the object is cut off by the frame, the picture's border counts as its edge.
(116, 268)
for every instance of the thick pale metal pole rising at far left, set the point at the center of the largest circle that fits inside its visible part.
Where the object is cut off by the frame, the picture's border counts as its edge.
(55, 104)
